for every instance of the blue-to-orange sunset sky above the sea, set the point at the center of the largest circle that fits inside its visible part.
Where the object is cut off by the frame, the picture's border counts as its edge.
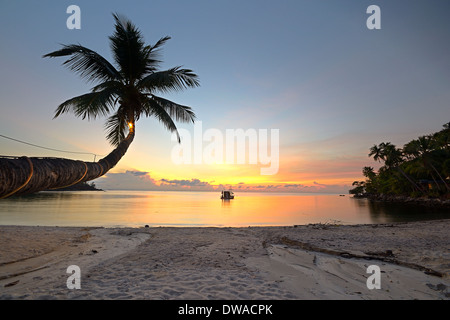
(311, 69)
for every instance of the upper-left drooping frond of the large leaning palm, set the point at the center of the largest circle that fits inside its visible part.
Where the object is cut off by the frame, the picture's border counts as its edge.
(87, 63)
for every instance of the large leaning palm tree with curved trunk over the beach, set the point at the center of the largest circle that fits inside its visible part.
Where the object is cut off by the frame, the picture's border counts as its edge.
(124, 92)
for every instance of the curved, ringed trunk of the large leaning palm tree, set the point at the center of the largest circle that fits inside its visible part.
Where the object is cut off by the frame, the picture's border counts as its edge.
(23, 175)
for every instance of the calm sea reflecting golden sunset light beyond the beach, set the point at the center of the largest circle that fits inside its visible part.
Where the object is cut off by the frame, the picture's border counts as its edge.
(139, 208)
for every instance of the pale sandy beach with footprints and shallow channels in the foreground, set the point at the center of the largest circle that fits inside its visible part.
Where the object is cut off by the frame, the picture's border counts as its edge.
(310, 262)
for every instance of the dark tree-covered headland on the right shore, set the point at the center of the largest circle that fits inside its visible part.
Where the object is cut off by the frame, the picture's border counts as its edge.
(420, 169)
